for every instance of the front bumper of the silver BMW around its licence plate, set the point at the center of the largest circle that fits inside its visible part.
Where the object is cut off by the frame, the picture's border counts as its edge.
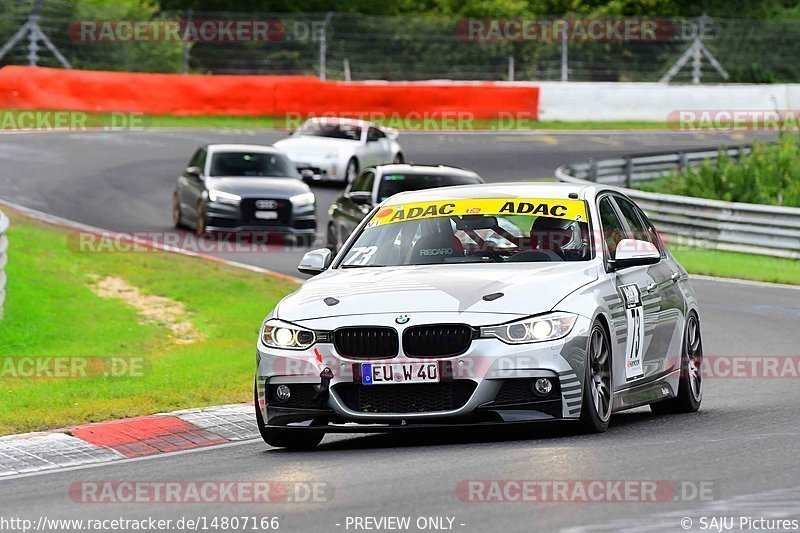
(489, 384)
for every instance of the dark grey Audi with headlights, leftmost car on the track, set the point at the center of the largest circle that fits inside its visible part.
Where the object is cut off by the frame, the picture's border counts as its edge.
(243, 187)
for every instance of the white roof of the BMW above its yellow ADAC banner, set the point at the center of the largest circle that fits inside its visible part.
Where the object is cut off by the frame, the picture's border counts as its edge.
(497, 190)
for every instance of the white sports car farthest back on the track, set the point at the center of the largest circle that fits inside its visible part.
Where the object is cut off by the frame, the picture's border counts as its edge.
(335, 149)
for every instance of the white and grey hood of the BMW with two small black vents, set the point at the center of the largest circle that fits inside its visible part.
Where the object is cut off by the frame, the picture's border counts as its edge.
(527, 289)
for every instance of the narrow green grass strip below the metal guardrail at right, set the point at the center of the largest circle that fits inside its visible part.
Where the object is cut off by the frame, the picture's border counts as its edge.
(737, 265)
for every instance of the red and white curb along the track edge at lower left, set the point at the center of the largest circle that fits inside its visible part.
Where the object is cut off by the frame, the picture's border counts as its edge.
(126, 439)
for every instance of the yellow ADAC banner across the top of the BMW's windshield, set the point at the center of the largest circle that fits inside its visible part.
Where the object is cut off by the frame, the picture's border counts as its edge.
(549, 207)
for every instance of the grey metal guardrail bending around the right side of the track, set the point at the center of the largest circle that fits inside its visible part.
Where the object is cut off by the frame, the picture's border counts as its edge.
(739, 227)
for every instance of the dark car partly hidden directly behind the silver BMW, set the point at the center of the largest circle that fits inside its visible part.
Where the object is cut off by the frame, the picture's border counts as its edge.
(378, 183)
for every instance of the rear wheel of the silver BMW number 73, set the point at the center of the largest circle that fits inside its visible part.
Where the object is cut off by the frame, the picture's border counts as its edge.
(690, 387)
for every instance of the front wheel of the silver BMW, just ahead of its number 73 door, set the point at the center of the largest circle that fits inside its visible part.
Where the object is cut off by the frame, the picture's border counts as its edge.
(597, 382)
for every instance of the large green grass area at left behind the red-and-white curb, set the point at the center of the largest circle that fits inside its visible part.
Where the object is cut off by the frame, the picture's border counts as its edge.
(50, 311)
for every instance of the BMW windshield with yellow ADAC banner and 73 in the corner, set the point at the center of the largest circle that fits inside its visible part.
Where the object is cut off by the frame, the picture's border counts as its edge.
(473, 231)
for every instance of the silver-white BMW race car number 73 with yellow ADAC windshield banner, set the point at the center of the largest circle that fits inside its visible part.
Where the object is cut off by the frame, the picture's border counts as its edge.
(482, 304)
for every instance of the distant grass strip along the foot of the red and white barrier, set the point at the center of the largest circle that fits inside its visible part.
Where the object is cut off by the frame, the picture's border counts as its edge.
(12, 119)
